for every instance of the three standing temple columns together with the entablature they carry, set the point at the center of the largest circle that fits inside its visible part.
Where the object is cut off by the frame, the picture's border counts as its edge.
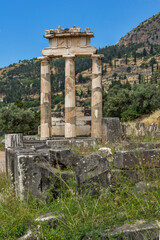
(70, 43)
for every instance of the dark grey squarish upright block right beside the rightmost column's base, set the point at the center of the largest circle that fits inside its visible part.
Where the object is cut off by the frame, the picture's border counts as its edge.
(111, 130)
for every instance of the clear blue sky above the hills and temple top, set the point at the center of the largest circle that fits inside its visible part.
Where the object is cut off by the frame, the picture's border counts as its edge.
(23, 22)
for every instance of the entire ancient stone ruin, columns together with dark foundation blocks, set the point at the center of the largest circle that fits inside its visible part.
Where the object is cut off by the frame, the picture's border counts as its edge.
(34, 163)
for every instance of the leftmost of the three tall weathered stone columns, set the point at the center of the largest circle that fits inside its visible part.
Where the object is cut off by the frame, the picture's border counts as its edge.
(46, 129)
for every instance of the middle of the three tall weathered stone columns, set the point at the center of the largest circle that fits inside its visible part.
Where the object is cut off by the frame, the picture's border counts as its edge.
(70, 99)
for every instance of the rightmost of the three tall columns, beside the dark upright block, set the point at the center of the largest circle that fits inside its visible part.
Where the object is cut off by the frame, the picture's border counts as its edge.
(96, 101)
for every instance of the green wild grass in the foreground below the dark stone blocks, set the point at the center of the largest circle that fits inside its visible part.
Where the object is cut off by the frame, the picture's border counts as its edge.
(85, 215)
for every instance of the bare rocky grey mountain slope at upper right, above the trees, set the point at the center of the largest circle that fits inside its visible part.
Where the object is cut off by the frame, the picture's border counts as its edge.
(148, 32)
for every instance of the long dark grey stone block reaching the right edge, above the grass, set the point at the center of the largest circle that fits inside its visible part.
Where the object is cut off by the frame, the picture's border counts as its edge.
(135, 158)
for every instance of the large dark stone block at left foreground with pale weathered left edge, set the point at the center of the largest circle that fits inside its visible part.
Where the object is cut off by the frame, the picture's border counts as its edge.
(34, 175)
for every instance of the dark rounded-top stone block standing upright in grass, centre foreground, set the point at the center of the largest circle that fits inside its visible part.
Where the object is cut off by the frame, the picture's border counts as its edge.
(93, 173)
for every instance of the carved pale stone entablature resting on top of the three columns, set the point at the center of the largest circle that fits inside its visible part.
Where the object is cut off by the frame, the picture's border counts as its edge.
(68, 41)
